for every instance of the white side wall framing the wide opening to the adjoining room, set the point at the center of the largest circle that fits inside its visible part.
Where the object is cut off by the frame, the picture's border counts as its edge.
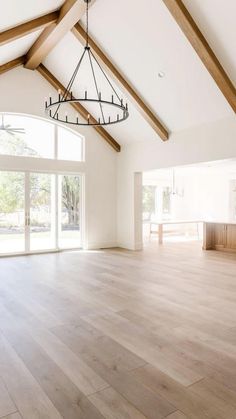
(215, 141)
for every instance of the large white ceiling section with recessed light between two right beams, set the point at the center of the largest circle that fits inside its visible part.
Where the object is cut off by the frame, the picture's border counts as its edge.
(145, 40)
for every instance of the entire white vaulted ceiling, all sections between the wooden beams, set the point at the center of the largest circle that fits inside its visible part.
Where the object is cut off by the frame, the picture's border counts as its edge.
(142, 41)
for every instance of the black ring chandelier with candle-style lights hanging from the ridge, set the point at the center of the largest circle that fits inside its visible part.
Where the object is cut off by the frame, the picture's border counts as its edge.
(54, 109)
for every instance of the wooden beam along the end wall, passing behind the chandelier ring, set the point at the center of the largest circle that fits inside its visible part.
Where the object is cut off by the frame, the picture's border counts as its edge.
(78, 107)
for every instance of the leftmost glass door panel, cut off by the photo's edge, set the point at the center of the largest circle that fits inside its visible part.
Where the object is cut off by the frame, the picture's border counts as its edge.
(12, 212)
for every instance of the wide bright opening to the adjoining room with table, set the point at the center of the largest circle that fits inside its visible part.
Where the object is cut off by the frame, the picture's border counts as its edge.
(177, 200)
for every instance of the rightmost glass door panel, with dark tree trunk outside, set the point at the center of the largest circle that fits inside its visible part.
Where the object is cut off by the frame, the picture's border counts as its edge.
(69, 234)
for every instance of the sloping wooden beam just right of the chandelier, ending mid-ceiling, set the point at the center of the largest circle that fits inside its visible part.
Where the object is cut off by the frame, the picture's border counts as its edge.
(128, 90)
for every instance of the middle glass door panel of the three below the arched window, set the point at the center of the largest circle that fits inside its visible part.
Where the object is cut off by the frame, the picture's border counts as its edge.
(42, 211)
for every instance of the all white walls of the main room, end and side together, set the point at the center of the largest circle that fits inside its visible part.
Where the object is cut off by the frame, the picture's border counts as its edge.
(24, 91)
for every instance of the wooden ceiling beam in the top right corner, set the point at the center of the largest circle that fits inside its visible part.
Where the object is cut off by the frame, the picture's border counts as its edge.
(203, 49)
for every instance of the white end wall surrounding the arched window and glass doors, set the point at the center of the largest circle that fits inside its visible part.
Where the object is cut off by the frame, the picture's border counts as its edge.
(24, 91)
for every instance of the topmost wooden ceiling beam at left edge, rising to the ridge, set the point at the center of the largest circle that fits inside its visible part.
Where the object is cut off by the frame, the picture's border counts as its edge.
(28, 27)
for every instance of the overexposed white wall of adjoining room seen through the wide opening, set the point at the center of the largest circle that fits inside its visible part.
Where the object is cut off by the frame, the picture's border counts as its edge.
(202, 192)
